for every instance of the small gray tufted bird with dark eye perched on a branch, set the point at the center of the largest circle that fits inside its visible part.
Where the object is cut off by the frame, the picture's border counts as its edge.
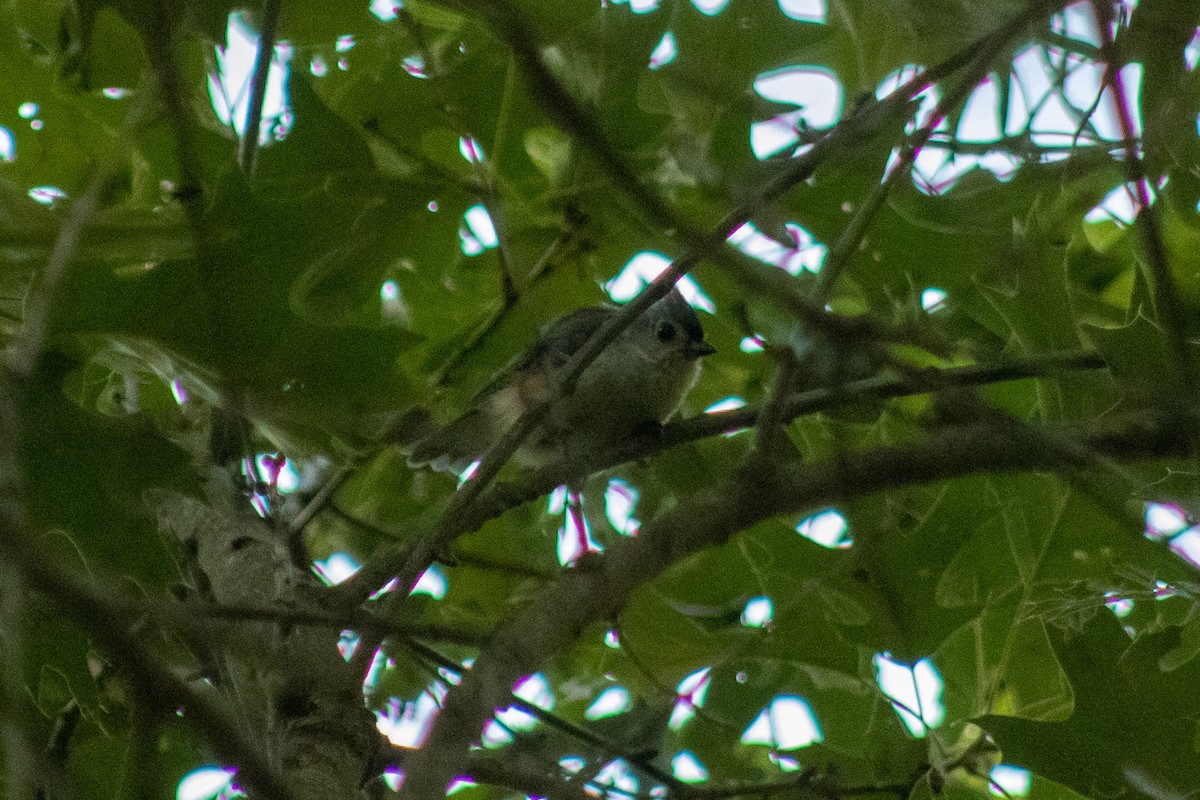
(639, 381)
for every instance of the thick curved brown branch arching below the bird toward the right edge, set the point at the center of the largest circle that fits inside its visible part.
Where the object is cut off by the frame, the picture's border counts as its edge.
(757, 494)
